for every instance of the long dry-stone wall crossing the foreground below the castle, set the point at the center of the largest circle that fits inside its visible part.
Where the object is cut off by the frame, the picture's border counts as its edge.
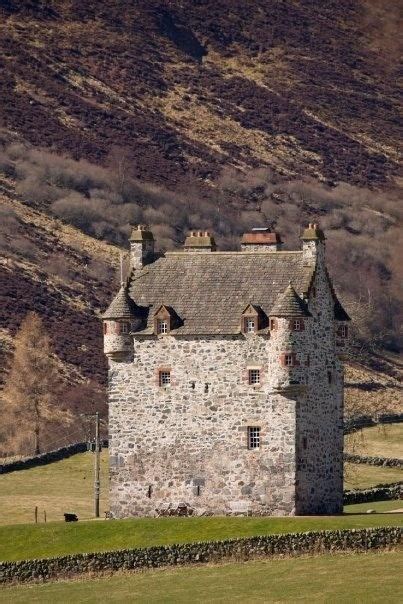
(288, 544)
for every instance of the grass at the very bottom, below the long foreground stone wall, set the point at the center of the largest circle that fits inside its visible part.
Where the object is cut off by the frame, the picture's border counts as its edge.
(369, 578)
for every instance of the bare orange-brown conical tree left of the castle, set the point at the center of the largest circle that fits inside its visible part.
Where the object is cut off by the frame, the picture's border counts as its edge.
(34, 384)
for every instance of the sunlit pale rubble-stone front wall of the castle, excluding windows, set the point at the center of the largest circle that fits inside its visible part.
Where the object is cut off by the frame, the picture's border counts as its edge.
(189, 444)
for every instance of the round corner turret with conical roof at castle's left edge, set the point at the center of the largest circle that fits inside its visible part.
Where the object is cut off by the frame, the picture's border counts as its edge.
(119, 320)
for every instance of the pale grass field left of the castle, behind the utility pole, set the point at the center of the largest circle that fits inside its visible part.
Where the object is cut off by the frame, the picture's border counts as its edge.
(63, 486)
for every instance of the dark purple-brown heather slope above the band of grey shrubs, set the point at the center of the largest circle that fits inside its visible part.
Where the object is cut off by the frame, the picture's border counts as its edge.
(304, 87)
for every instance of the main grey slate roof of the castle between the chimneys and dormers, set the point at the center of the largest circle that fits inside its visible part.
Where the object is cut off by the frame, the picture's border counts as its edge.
(209, 291)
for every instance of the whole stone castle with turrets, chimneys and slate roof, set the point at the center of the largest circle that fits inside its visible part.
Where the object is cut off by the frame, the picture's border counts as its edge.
(226, 380)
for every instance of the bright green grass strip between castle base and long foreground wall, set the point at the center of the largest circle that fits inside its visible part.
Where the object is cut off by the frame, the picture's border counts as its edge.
(55, 539)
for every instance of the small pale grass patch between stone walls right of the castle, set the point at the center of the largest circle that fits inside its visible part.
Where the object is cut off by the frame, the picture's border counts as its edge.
(385, 440)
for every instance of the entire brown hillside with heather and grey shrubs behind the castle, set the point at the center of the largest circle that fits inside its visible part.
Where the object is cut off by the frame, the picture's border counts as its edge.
(220, 115)
